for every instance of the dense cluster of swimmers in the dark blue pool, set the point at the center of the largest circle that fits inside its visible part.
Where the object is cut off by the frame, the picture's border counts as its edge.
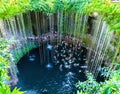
(69, 55)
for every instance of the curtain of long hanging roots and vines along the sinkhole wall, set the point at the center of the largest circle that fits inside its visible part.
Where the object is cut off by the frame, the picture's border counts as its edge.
(34, 24)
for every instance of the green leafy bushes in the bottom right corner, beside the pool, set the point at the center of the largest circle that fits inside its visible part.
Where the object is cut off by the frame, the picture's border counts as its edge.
(108, 87)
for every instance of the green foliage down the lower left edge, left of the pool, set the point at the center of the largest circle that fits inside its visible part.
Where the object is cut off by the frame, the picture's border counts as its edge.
(5, 59)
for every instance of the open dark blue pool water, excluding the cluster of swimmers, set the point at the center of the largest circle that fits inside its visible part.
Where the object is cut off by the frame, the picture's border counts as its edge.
(39, 75)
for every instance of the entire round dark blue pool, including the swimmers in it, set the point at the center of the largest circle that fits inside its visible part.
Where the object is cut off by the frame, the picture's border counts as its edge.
(52, 68)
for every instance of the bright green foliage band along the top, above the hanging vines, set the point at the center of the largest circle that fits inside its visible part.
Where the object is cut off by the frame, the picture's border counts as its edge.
(108, 10)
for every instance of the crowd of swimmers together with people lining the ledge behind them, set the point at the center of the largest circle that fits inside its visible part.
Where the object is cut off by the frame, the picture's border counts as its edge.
(69, 53)
